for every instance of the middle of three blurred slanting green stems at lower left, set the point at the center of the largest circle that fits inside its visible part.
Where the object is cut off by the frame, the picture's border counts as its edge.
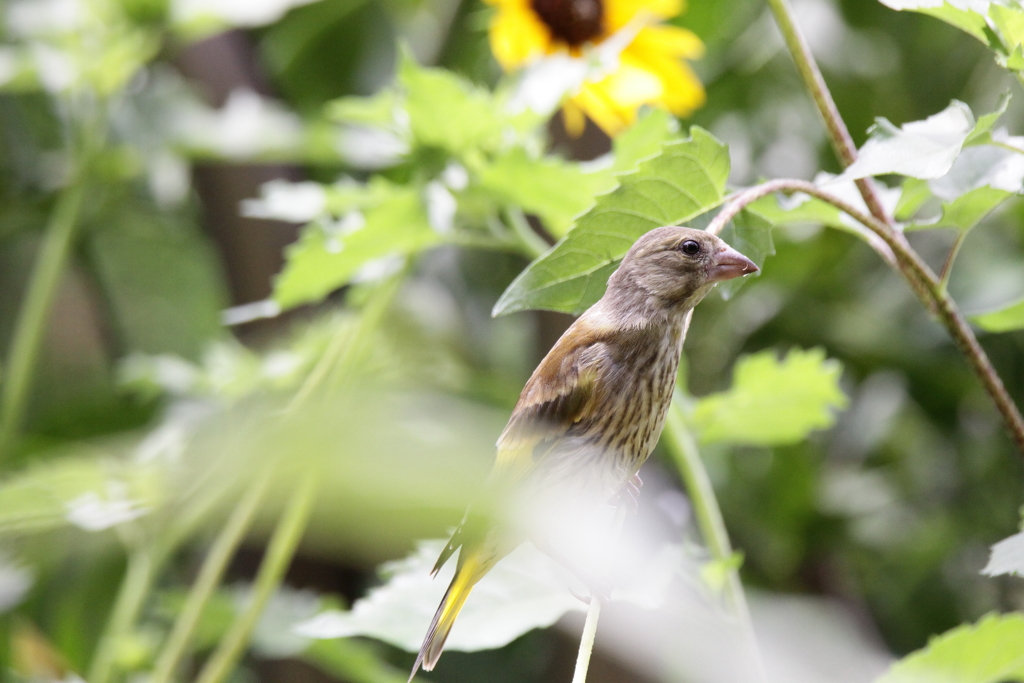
(209, 577)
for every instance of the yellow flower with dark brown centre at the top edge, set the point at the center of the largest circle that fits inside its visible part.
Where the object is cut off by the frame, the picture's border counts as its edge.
(650, 70)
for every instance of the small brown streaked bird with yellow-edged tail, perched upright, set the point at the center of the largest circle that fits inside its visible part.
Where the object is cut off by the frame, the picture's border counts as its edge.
(593, 410)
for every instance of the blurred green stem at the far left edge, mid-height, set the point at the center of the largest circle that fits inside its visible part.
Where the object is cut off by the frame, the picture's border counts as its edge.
(34, 315)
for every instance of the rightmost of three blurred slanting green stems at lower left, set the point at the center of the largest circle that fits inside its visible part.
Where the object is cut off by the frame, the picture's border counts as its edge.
(276, 562)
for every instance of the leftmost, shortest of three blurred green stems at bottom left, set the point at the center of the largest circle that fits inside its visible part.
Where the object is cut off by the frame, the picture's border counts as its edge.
(135, 587)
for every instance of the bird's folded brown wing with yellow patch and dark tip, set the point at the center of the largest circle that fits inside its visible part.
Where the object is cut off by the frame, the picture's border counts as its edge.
(563, 392)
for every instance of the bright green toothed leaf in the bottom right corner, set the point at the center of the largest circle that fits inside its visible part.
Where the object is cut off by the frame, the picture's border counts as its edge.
(991, 652)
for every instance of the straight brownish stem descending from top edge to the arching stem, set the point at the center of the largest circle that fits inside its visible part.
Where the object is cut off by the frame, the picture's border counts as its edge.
(839, 135)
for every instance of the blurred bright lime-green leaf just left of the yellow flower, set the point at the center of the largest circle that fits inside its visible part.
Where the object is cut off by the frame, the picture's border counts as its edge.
(447, 112)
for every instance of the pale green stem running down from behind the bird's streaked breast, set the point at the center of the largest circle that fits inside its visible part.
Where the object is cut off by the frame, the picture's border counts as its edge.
(684, 449)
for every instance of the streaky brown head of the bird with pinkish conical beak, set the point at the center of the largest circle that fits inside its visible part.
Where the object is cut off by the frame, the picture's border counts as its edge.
(672, 269)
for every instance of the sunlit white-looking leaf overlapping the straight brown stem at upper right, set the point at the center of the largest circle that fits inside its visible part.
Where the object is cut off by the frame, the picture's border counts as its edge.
(920, 149)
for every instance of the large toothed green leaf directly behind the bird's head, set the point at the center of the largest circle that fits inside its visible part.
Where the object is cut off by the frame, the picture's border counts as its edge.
(687, 180)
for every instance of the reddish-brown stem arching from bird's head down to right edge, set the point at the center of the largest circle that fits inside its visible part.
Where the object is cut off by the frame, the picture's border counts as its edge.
(924, 283)
